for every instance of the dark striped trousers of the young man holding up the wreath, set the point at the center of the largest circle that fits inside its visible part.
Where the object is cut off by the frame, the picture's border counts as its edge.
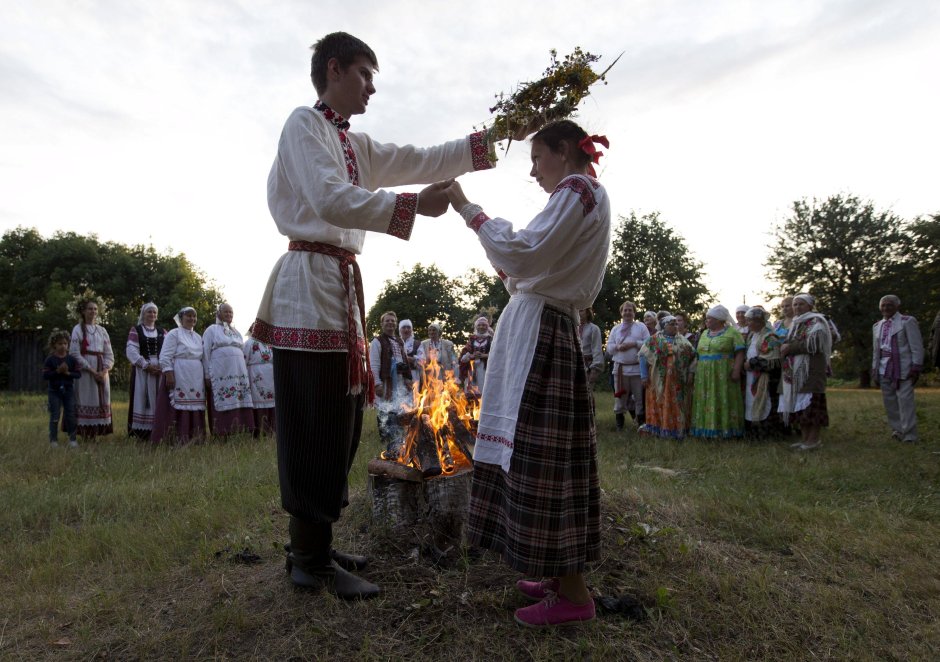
(318, 430)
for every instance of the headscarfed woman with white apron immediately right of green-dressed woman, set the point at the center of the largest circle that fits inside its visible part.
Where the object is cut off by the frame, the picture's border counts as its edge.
(762, 365)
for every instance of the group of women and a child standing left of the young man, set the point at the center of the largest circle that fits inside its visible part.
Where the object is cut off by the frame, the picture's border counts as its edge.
(183, 385)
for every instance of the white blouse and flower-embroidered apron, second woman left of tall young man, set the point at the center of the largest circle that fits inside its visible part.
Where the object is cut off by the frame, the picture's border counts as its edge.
(224, 360)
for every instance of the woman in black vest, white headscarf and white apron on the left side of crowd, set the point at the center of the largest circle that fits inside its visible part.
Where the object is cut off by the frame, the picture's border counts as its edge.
(144, 342)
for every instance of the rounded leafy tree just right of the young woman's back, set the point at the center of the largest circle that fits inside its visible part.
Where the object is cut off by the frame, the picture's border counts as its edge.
(651, 265)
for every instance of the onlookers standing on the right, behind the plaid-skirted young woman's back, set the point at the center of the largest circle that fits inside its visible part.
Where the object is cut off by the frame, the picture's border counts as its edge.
(745, 376)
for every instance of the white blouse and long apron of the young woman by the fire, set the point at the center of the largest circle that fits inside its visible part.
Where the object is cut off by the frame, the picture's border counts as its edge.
(558, 259)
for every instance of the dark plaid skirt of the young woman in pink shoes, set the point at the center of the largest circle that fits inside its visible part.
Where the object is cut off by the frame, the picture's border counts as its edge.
(543, 515)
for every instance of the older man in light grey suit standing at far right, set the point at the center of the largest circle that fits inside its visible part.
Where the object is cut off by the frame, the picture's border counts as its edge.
(897, 360)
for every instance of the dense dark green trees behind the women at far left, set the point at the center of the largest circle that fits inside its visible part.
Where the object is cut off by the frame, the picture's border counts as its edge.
(44, 277)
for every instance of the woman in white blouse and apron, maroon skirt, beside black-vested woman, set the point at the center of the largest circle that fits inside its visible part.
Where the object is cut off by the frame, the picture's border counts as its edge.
(181, 402)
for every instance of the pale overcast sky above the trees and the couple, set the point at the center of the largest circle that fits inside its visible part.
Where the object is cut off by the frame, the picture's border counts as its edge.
(157, 122)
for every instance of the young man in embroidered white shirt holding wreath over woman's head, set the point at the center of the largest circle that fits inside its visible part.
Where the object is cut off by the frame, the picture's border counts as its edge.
(324, 193)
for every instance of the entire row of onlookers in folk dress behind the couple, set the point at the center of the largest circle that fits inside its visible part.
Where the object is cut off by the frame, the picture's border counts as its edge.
(739, 376)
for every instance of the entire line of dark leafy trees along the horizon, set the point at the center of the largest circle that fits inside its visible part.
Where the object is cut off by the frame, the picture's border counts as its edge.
(842, 250)
